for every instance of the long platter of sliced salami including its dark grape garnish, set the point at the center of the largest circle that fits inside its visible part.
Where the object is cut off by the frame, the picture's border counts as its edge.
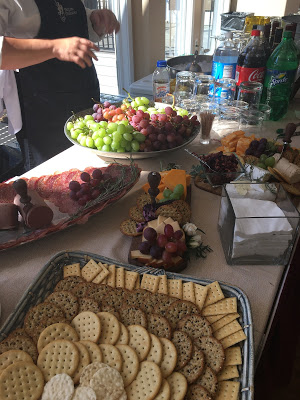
(67, 207)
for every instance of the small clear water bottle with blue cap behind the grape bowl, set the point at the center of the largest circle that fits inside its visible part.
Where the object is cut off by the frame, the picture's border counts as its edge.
(161, 82)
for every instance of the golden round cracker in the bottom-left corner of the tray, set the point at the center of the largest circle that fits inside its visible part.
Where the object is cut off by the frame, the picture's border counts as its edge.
(21, 380)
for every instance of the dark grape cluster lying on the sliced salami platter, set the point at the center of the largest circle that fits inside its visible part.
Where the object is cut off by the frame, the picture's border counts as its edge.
(90, 188)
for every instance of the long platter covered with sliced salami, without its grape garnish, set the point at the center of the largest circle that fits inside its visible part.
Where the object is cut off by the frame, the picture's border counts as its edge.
(66, 212)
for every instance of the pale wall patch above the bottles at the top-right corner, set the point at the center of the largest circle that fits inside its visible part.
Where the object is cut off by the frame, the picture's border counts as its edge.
(268, 7)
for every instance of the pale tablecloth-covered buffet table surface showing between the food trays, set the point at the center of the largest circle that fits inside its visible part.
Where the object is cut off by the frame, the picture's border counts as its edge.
(101, 235)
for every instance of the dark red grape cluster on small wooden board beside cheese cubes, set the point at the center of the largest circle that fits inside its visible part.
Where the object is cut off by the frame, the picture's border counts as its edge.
(163, 246)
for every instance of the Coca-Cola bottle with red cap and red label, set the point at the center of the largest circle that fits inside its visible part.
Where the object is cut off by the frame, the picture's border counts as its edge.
(251, 63)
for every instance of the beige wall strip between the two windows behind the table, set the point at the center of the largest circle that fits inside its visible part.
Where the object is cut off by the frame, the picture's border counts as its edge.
(148, 33)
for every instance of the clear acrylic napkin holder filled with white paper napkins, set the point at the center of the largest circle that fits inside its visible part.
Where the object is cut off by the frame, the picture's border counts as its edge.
(253, 237)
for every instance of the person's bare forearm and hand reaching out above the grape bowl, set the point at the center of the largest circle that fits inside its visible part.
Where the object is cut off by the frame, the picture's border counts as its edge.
(20, 53)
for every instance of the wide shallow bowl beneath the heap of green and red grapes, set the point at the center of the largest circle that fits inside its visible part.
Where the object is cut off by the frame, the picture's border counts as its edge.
(134, 155)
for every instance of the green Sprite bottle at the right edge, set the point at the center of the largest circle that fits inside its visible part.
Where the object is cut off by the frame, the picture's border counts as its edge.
(281, 70)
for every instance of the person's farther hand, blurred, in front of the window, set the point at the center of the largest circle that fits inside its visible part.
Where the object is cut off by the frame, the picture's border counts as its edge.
(104, 21)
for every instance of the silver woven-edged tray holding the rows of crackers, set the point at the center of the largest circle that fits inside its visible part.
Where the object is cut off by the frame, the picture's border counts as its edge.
(52, 272)
